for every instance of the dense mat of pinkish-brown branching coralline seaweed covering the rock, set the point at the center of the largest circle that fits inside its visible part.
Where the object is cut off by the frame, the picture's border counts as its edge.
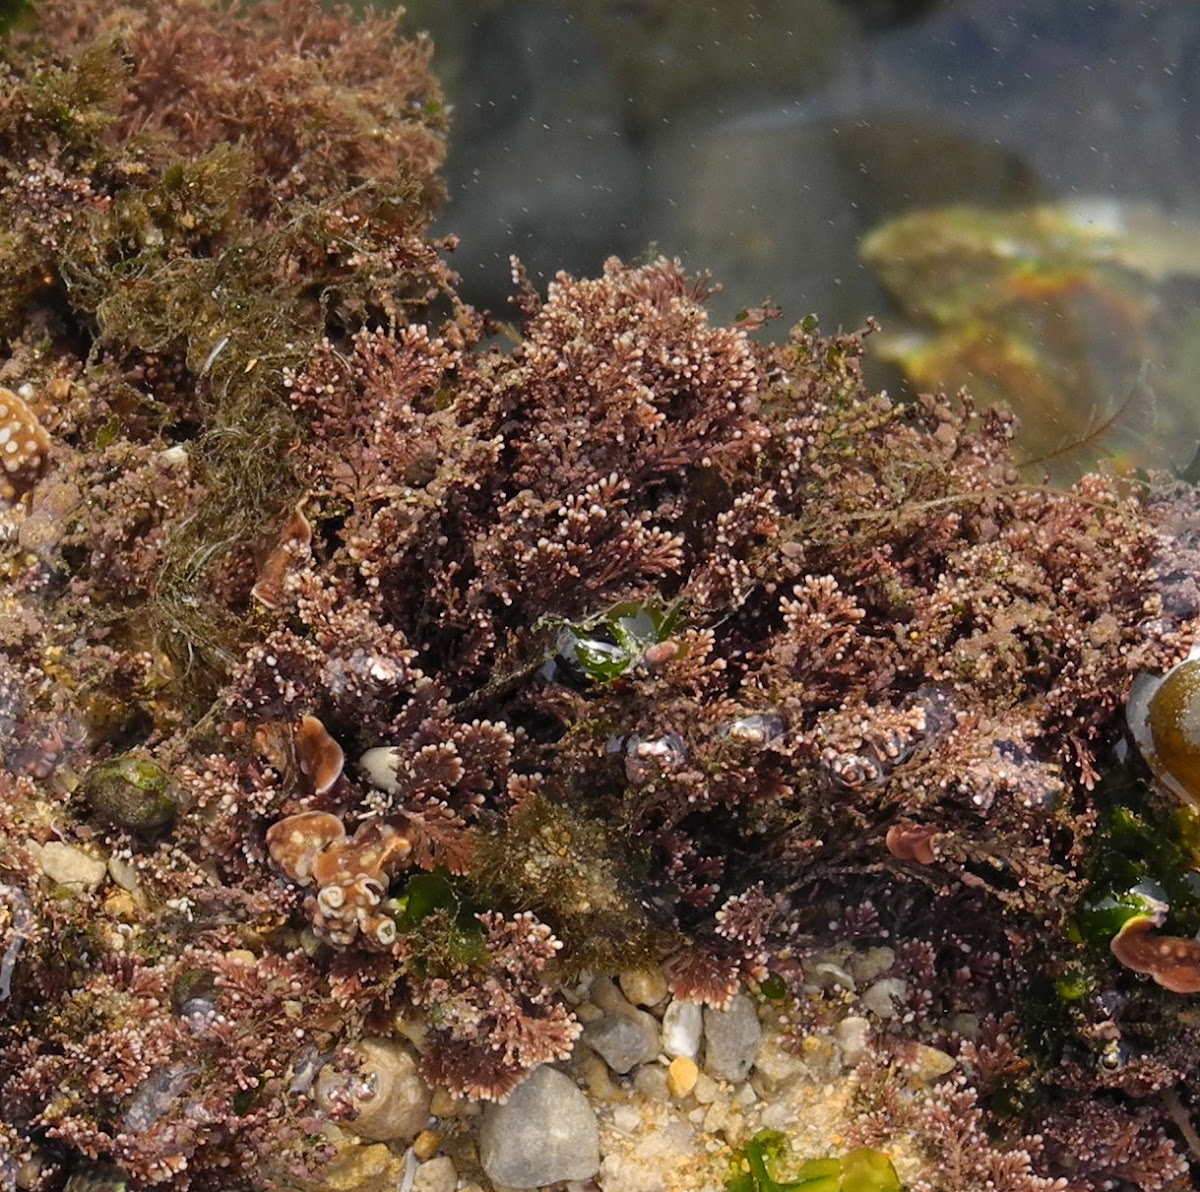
(368, 692)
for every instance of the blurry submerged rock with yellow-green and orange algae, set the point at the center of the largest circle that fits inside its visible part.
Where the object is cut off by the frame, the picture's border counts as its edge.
(1053, 310)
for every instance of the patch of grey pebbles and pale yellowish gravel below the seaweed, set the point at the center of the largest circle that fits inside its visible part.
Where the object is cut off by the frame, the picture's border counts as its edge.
(658, 1097)
